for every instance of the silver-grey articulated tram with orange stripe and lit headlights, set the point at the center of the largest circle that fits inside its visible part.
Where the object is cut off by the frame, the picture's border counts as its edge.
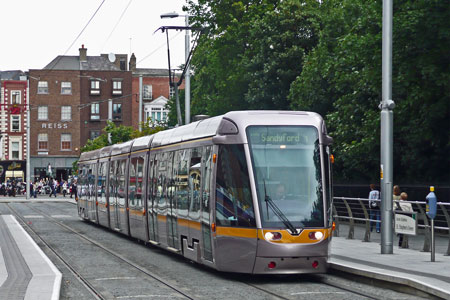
(248, 191)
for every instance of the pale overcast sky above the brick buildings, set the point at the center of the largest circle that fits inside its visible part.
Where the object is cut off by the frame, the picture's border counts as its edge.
(34, 32)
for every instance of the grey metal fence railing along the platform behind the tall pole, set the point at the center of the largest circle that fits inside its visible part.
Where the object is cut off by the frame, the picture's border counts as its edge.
(356, 211)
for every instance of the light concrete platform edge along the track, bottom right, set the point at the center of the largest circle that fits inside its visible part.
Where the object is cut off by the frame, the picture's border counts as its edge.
(397, 278)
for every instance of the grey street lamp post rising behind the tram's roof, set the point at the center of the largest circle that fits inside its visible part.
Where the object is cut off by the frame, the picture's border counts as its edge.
(187, 84)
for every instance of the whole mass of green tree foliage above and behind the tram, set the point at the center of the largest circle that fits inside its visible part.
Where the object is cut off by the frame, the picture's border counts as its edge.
(325, 56)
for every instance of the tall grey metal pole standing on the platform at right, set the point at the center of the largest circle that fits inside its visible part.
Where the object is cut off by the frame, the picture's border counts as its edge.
(387, 124)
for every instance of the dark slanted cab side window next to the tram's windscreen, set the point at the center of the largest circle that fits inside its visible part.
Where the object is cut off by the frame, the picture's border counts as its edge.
(234, 206)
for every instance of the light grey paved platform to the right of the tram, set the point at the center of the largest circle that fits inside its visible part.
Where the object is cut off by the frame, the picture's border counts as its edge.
(406, 267)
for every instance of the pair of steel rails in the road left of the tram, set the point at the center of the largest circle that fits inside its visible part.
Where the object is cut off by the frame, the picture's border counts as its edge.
(85, 282)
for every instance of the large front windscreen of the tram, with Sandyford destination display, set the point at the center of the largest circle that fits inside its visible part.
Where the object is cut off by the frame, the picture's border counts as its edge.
(286, 165)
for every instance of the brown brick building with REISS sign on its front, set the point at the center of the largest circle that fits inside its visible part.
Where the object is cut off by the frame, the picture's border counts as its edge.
(69, 100)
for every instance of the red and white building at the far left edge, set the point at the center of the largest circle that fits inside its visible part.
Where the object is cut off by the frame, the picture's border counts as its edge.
(13, 122)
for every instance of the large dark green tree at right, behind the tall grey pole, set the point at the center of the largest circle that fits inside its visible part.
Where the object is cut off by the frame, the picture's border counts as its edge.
(341, 79)
